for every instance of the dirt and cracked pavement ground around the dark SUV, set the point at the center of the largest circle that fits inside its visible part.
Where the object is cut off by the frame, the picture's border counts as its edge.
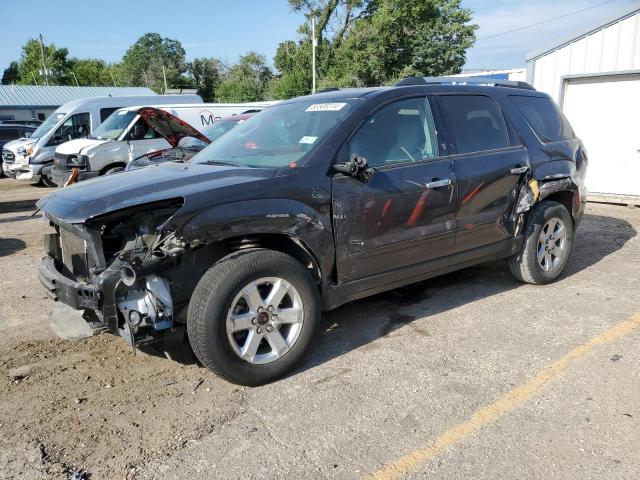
(386, 376)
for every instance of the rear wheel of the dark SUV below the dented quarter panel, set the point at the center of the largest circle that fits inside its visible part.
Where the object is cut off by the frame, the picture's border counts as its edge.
(548, 238)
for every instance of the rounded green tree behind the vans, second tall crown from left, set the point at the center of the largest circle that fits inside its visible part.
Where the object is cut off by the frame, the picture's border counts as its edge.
(143, 61)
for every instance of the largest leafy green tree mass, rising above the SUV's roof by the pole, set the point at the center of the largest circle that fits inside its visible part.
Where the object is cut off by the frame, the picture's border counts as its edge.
(373, 42)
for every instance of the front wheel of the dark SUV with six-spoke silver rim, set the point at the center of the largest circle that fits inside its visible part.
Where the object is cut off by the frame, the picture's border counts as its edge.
(252, 316)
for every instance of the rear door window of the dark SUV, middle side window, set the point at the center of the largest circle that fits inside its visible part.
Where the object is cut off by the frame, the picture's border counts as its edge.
(477, 123)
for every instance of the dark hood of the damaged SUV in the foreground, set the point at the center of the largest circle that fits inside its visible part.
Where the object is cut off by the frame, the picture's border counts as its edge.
(197, 184)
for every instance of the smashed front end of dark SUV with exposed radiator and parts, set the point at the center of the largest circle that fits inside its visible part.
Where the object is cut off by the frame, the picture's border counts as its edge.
(113, 268)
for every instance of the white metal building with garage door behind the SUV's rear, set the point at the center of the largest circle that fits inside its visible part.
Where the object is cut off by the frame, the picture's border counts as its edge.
(594, 75)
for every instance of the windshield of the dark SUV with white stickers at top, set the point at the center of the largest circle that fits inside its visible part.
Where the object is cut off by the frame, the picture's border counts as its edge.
(278, 136)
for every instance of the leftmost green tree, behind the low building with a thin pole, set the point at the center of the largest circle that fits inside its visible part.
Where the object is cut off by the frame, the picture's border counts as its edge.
(30, 66)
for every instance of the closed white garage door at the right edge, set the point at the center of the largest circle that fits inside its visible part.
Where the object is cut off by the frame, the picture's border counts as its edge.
(605, 113)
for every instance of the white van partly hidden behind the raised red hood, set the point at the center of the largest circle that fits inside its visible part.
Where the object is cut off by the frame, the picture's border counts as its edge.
(125, 136)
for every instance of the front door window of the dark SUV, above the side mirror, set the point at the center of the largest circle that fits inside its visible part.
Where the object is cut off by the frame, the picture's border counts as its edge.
(400, 132)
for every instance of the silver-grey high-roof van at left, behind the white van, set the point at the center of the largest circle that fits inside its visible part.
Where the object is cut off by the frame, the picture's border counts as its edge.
(31, 159)
